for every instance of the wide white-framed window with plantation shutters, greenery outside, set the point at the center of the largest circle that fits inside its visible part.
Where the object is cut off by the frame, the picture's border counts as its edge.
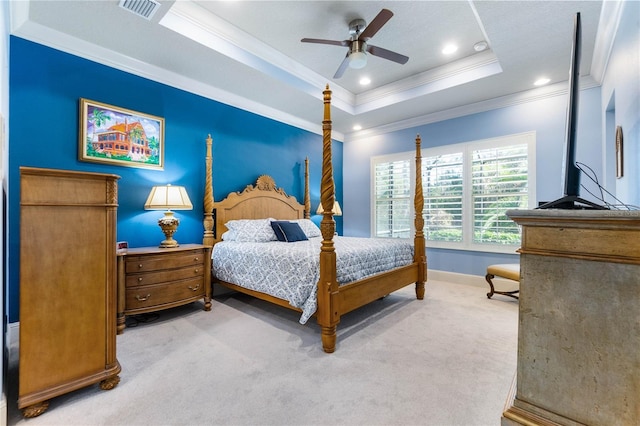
(467, 190)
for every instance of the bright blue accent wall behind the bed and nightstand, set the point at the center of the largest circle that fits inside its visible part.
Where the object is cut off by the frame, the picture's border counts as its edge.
(45, 88)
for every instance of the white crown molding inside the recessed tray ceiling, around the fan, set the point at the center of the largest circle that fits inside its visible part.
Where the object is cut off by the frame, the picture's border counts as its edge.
(193, 21)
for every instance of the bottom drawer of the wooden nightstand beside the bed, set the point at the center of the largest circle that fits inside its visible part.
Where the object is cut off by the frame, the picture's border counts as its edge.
(156, 295)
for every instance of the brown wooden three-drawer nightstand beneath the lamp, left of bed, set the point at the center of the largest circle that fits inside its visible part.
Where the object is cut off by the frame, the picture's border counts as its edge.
(153, 278)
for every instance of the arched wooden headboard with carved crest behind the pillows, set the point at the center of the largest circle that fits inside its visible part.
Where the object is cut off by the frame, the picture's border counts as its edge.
(258, 201)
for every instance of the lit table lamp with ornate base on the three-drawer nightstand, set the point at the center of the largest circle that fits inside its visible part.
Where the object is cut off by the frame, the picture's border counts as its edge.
(168, 198)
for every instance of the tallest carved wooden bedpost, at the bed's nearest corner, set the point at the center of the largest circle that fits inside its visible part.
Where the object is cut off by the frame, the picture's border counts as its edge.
(328, 312)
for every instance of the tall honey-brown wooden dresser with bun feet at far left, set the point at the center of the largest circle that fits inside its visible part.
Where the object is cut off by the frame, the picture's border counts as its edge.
(67, 284)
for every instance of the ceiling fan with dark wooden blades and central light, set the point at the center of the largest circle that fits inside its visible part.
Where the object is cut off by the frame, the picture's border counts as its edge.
(358, 44)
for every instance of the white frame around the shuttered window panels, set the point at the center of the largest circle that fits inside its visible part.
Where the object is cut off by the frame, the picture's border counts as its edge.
(467, 149)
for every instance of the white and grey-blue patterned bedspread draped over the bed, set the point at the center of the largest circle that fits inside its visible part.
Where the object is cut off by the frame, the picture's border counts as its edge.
(290, 271)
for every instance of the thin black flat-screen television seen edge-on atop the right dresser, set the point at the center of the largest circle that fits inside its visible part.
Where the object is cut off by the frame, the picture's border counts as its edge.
(571, 198)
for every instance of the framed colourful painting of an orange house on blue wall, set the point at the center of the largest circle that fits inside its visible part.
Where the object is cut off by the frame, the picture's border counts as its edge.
(120, 137)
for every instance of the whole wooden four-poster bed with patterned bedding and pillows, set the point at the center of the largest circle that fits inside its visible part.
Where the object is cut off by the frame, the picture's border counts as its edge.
(331, 292)
